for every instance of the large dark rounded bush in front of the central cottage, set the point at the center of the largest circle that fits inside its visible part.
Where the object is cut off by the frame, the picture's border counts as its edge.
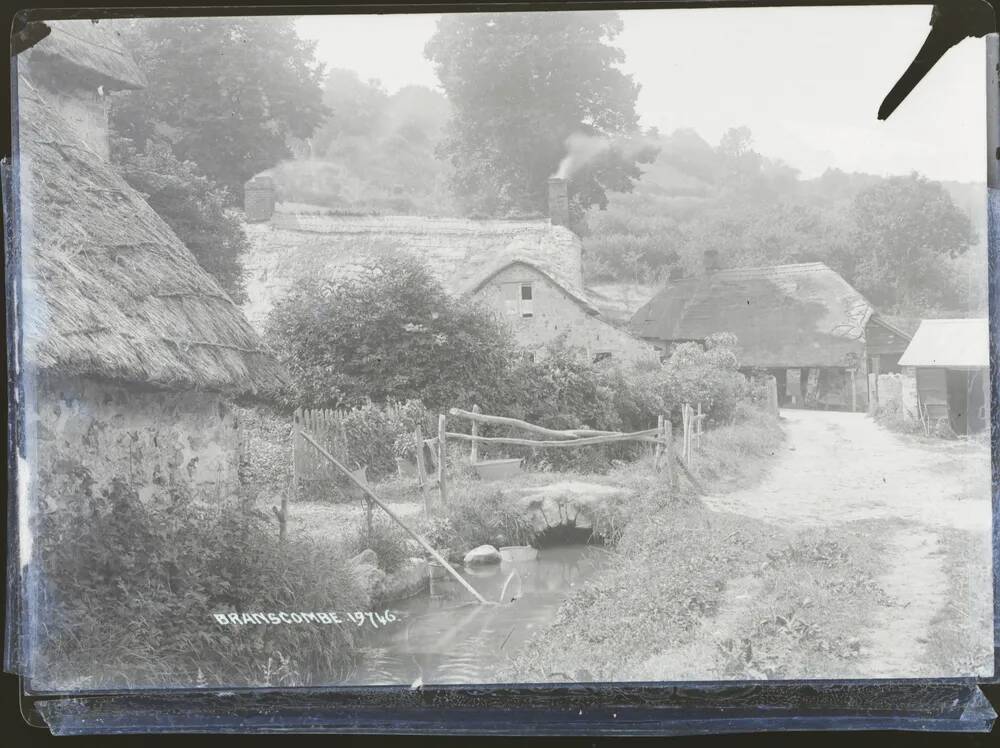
(388, 332)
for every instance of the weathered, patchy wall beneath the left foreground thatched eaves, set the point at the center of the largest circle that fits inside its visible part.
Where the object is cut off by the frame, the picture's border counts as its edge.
(150, 439)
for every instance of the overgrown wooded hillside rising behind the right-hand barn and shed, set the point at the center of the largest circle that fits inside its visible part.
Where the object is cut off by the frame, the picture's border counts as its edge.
(756, 211)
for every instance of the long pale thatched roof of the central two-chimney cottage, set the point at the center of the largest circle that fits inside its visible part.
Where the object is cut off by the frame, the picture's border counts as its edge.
(301, 241)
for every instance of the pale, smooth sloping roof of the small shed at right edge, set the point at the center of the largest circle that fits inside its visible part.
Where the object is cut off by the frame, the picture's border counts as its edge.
(949, 343)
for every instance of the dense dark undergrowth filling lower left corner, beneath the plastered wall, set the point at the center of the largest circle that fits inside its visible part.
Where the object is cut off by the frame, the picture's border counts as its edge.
(127, 590)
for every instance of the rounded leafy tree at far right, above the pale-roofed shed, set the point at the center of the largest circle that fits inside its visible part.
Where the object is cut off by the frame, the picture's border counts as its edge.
(907, 232)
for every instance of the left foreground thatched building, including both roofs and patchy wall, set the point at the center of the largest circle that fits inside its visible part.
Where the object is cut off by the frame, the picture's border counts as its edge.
(130, 353)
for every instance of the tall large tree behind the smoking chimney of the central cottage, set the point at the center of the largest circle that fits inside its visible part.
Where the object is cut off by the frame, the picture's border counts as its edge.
(521, 84)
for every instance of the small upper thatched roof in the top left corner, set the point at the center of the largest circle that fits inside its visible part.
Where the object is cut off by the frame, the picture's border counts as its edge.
(89, 51)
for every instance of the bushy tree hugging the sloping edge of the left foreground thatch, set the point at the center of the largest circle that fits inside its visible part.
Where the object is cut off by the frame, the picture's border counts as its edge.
(192, 205)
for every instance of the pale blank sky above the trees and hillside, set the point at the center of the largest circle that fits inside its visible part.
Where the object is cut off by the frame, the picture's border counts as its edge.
(806, 81)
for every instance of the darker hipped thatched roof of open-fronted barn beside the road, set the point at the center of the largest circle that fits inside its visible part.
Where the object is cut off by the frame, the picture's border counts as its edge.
(784, 316)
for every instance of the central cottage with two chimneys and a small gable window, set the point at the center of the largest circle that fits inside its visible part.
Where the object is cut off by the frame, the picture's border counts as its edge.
(529, 271)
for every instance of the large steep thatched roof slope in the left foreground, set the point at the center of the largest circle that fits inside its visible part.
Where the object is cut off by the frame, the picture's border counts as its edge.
(109, 289)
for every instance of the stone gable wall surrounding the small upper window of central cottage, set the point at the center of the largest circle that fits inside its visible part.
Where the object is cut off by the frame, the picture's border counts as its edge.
(554, 312)
